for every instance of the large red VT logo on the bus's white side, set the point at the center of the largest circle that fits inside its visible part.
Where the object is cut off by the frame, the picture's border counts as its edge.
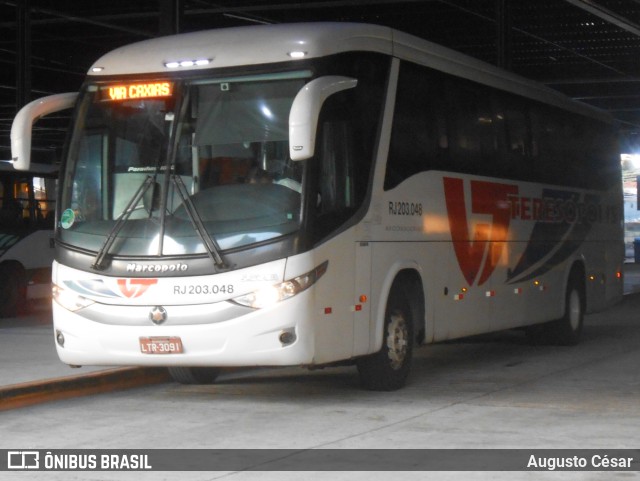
(478, 252)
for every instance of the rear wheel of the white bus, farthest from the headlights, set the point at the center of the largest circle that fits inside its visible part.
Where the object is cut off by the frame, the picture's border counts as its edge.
(565, 331)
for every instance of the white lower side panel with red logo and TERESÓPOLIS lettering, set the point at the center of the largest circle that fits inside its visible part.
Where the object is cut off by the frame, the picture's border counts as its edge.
(495, 253)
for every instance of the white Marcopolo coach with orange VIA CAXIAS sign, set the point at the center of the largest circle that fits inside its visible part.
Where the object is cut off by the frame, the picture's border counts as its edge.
(311, 194)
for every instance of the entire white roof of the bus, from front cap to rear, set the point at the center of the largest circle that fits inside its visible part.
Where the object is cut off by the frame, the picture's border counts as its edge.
(263, 44)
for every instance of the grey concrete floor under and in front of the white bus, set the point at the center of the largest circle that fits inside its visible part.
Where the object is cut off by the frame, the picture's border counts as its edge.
(493, 391)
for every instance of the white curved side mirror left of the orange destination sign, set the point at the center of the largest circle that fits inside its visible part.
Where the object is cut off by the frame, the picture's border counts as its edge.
(23, 124)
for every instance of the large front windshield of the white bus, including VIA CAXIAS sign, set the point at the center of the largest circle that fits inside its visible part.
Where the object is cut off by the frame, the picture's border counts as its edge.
(147, 156)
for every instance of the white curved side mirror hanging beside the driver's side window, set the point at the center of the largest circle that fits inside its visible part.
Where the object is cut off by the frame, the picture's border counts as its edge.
(303, 117)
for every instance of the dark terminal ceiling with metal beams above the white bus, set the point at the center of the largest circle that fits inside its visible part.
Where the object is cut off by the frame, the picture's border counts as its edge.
(587, 49)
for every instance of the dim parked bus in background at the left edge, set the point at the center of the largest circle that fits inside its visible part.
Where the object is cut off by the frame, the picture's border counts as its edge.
(27, 210)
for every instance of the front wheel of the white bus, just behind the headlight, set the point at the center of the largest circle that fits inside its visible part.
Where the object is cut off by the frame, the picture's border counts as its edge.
(388, 369)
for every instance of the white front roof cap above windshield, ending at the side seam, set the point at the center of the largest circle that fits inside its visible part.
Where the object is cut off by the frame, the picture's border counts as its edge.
(236, 46)
